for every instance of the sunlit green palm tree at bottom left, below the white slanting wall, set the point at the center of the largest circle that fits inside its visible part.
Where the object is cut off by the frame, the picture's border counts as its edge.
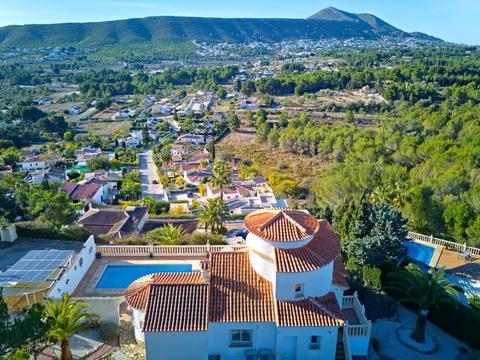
(67, 317)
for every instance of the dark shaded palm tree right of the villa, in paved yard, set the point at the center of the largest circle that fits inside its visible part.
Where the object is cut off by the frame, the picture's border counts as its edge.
(424, 290)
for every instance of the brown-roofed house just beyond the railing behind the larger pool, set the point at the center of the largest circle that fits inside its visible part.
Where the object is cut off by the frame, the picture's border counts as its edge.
(115, 223)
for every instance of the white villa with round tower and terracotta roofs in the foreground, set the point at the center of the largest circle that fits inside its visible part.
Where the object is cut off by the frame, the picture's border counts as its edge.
(280, 298)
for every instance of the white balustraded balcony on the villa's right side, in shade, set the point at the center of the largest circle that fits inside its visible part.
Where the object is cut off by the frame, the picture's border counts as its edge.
(356, 332)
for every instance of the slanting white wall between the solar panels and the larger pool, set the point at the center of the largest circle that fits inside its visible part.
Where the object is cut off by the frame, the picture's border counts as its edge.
(72, 277)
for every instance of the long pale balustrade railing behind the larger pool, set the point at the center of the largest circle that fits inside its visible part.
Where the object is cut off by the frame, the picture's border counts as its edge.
(164, 250)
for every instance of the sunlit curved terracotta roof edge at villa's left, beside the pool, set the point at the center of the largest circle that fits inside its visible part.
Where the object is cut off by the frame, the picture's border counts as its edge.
(137, 293)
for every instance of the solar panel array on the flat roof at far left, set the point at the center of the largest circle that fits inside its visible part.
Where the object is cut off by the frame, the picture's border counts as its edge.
(36, 266)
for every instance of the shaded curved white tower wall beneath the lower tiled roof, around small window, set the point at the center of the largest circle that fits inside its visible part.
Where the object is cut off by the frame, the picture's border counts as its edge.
(315, 283)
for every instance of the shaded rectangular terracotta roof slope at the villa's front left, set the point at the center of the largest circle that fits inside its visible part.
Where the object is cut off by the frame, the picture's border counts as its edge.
(177, 308)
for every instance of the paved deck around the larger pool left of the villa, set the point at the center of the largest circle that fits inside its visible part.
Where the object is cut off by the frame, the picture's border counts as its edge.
(86, 288)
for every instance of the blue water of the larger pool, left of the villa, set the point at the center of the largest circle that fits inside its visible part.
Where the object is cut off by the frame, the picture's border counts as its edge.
(120, 276)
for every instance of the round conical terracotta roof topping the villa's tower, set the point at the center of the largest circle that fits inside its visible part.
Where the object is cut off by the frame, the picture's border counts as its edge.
(283, 225)
